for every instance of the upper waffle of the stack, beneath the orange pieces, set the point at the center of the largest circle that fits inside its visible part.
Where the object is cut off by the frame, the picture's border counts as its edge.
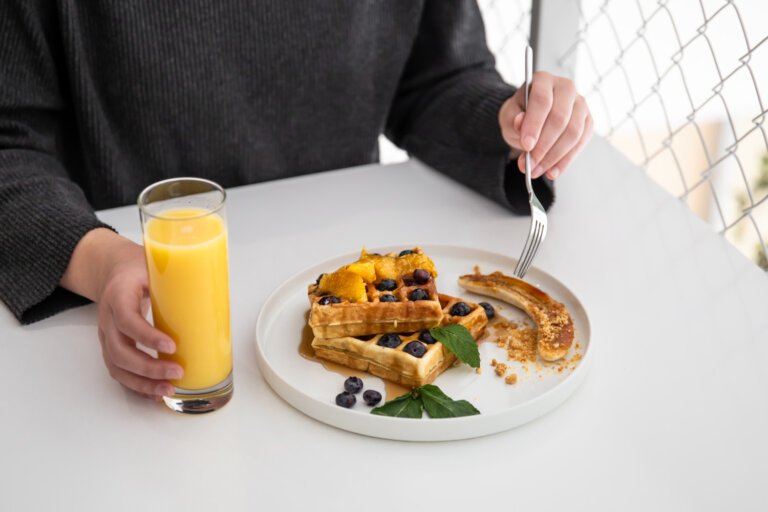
(349, 318)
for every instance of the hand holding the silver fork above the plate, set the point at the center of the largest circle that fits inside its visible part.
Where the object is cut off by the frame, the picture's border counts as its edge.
(555, 128)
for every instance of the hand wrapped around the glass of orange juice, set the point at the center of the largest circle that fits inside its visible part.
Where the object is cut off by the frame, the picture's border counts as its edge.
(111, 270)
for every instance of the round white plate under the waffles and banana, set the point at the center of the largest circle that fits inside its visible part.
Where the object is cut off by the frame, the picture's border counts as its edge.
(312, 389)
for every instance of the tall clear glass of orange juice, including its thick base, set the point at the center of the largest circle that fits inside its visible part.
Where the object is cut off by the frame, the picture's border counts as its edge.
(185, 242)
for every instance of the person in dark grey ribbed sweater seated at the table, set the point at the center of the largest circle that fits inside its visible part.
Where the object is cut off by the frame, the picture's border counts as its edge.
(100, 99)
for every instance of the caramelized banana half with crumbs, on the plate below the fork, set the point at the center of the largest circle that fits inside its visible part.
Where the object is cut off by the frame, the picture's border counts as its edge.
(555, 326)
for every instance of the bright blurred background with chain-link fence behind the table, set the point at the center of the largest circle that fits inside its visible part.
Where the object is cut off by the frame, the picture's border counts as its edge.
(678, 86)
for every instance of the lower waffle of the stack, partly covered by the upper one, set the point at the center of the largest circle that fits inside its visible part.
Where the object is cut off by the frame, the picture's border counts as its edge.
(393, 364)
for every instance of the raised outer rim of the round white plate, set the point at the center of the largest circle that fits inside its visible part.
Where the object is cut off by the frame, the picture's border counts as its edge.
(559, 393)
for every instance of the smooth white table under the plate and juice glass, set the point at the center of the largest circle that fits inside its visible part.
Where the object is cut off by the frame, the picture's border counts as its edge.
(672, 416)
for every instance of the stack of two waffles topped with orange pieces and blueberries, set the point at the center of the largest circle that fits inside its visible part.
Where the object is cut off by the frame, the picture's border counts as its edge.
(375, 314)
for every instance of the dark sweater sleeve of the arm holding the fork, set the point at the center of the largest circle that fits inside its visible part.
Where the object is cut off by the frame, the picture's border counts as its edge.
(446, 108)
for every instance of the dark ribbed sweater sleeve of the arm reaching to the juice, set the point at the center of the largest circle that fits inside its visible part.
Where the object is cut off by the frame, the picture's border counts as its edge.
(43, 213)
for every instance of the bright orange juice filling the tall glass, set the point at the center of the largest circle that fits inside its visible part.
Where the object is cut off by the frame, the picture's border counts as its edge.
(186, 252)
